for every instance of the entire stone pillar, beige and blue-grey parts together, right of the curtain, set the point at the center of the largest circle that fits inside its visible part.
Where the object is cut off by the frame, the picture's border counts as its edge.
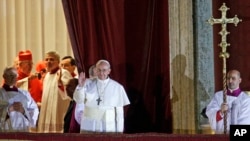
(191, 59)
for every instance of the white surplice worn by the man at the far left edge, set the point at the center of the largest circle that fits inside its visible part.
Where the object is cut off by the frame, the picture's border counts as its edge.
(17, 121)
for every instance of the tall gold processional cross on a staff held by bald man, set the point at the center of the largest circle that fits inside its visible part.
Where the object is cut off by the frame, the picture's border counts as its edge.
(223, 44)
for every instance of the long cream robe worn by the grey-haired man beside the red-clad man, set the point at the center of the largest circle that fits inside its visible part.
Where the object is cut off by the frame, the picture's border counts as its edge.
(54, 103)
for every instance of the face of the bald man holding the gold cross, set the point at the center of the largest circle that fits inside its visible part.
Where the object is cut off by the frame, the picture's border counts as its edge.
(233, 80)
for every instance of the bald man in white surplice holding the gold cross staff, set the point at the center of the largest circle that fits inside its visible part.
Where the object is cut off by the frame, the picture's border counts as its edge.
(237, 106)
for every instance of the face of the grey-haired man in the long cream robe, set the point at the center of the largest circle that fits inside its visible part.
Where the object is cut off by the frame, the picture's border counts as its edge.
(51, 62)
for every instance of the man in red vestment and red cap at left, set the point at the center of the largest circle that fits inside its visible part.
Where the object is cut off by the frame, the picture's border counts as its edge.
(26, 80)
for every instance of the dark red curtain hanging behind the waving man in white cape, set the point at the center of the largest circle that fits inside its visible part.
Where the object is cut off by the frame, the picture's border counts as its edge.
(133, 36)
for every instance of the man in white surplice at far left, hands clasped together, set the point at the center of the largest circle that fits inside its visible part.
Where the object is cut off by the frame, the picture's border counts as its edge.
(18, 110)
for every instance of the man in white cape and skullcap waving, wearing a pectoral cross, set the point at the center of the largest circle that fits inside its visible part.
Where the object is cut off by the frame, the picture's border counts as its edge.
(102, 99)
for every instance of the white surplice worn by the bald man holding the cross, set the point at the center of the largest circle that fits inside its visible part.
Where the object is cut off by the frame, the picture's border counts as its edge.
(238, 113)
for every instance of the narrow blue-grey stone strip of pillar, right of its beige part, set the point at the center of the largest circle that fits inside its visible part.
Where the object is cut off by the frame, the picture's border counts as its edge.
(204, 62)
